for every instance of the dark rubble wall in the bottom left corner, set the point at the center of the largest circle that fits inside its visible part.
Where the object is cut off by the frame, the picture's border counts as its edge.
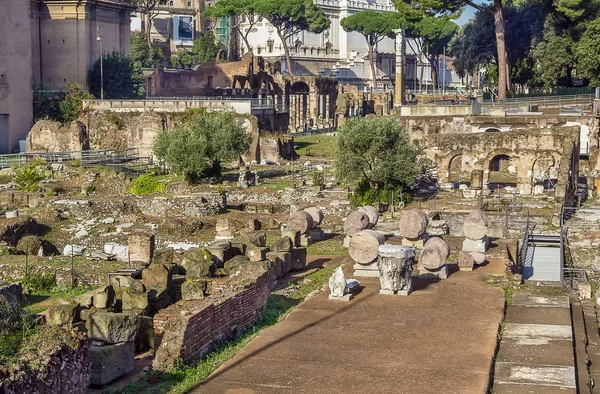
(65, 370)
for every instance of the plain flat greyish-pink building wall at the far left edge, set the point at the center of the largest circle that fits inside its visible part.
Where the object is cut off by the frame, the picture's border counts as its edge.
(16, 101)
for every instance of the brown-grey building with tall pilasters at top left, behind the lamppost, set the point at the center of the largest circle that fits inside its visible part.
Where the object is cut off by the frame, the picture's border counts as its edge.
(63, 37)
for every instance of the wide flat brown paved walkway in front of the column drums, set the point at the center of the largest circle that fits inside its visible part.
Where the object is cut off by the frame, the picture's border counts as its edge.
(440, 339)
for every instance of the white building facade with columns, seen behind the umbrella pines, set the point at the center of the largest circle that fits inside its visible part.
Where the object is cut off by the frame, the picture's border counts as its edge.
(337, 53)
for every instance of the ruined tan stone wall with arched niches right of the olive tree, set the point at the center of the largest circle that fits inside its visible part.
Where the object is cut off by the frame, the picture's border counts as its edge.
(522, 158)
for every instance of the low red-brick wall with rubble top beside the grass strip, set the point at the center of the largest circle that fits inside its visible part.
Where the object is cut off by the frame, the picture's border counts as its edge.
(188, 329)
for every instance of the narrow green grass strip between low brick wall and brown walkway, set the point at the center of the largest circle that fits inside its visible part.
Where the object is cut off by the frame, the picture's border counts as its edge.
(186, 377)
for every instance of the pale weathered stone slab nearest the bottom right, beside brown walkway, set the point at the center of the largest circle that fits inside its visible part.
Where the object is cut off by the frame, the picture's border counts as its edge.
(531, 374)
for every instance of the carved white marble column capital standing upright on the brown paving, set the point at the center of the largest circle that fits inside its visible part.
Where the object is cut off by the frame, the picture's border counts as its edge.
(394, 264)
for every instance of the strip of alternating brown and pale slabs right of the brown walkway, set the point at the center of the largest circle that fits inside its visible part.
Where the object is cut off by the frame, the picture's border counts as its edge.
(536, 351)
